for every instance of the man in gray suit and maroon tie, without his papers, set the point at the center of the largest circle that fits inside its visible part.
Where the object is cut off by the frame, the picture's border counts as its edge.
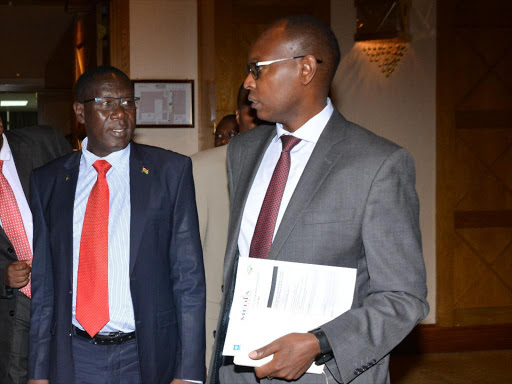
(348, 200)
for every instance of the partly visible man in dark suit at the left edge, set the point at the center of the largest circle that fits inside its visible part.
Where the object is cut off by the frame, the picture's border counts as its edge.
(21, 151)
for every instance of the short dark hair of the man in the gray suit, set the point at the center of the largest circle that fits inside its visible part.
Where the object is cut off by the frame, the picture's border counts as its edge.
(315, 37)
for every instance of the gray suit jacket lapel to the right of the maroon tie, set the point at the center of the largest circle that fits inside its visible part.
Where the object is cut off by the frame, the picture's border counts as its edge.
(324, 156)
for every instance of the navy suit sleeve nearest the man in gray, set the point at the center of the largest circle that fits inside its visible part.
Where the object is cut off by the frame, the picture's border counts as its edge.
(189, 282)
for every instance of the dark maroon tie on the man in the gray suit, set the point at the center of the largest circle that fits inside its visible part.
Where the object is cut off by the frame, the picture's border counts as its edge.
(266, 224)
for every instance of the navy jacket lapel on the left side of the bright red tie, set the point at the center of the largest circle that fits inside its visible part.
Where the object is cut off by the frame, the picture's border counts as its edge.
(66, 185)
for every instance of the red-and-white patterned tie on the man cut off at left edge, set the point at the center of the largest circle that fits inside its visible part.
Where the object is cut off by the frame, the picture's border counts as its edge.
(13, 224)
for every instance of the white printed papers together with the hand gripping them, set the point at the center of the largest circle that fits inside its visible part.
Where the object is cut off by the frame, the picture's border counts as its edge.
(275, 304)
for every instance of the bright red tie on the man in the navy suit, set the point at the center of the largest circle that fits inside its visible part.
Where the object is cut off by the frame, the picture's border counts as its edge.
(92, 281)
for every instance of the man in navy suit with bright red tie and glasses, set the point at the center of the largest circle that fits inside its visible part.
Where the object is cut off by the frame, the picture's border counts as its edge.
(118, 279)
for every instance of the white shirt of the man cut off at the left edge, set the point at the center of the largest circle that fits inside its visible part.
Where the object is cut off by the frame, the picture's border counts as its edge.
(11, 174)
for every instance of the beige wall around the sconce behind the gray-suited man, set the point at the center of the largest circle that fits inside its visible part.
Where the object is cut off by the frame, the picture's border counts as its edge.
(400, 108)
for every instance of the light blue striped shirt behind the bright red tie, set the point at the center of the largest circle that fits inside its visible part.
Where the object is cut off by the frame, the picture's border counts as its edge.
(120, 303)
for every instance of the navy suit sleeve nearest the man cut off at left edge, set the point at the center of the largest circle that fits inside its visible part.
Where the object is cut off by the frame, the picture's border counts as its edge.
(41, 308)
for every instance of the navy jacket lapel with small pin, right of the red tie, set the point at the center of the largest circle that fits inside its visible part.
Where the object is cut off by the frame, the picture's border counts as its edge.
(140, 184)
